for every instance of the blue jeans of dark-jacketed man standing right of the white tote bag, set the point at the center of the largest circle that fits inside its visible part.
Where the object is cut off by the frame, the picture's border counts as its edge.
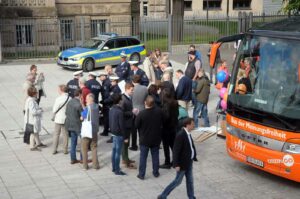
(116, 153)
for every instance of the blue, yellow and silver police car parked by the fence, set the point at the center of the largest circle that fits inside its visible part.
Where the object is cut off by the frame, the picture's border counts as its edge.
(100, 51)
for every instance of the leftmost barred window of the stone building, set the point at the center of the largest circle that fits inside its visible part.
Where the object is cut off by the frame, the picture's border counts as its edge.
(24, 35)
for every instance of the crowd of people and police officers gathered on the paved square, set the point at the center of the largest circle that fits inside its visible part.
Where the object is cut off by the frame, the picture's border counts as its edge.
(132, 101)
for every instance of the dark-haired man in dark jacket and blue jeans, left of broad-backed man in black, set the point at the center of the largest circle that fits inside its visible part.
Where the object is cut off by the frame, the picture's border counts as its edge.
(116, 124)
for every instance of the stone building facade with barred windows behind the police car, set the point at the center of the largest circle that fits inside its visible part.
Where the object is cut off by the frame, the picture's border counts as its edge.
(40, 25)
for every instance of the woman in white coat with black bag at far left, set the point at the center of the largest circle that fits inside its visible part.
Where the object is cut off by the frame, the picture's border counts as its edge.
(33, 115)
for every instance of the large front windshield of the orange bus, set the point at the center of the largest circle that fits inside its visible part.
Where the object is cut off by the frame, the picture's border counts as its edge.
(266, 77)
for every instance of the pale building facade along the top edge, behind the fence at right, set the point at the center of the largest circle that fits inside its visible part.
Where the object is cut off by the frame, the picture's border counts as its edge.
(160, 8)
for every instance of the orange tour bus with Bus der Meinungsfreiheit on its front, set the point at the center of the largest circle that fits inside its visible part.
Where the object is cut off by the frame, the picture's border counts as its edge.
(263, 122)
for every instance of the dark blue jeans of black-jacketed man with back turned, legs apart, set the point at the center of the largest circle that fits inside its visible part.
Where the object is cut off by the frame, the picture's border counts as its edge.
(143, 160)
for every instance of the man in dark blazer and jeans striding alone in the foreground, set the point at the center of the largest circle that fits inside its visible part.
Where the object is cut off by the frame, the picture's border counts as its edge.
(184, 153)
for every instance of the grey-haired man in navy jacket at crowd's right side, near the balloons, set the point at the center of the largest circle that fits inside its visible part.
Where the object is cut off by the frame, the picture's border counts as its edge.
(184, 90)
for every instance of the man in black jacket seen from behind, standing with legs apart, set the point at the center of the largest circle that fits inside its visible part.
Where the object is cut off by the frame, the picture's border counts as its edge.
(149, 123)
